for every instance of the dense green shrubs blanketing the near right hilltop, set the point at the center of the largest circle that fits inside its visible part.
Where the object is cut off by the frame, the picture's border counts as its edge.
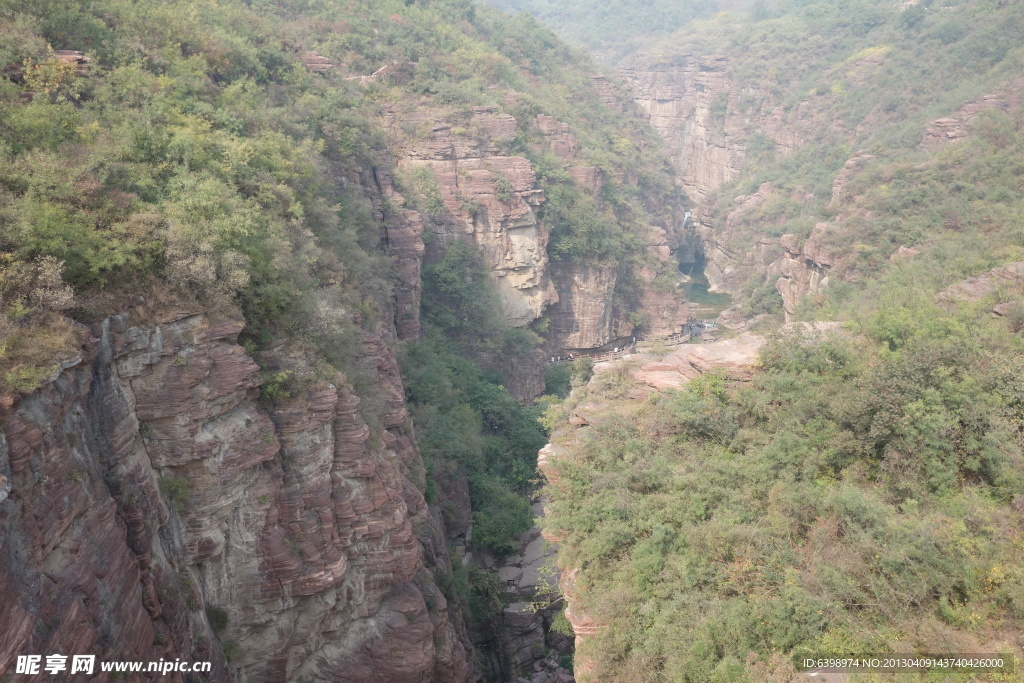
(691, 518)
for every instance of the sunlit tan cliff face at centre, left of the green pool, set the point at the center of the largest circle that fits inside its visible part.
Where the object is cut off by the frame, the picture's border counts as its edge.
(489, 197)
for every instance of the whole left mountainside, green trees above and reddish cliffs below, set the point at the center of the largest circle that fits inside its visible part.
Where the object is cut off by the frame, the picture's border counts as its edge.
(220, 224)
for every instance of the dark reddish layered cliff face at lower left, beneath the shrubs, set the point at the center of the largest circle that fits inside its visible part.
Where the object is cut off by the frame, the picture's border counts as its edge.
(149, 488)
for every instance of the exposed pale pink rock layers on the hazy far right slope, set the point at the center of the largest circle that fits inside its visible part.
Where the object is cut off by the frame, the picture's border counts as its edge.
(708, 122)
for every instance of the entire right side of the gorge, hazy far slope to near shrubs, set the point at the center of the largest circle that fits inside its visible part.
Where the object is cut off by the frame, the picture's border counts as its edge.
(860, 189)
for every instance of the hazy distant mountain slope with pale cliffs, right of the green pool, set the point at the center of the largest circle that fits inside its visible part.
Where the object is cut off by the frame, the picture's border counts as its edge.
(792, 101)
